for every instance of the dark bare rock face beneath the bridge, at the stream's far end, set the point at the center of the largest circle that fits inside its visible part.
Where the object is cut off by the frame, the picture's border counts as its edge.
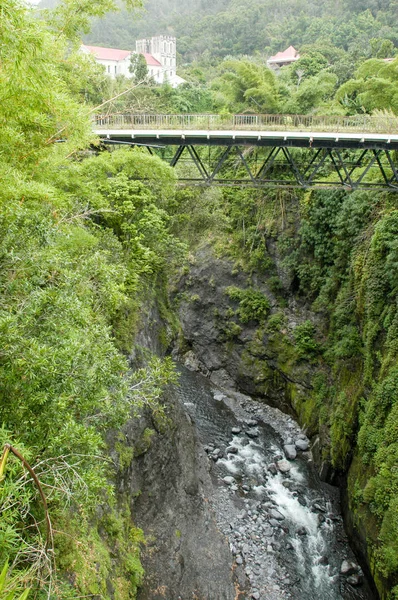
(236, 356)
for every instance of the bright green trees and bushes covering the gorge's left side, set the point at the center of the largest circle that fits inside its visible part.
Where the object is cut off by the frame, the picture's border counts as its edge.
(81, 244)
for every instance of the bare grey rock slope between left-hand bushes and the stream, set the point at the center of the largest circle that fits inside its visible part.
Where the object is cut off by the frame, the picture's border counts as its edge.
(168, 484)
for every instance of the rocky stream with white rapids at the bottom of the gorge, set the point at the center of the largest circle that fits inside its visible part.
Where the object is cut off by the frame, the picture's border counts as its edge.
(283, 525)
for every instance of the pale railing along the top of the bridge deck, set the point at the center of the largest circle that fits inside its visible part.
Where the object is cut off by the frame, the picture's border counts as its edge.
(334, 123)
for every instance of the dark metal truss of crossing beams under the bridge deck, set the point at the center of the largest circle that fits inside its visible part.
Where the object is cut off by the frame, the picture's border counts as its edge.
(280, 165)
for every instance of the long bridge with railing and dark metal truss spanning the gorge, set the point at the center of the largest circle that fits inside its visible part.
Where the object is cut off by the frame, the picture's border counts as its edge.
(266, 150)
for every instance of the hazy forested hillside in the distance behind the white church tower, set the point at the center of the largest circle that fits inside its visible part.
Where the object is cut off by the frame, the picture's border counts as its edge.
(213, 29)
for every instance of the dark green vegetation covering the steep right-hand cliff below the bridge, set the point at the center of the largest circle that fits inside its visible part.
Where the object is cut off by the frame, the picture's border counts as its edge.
(335, 253)
